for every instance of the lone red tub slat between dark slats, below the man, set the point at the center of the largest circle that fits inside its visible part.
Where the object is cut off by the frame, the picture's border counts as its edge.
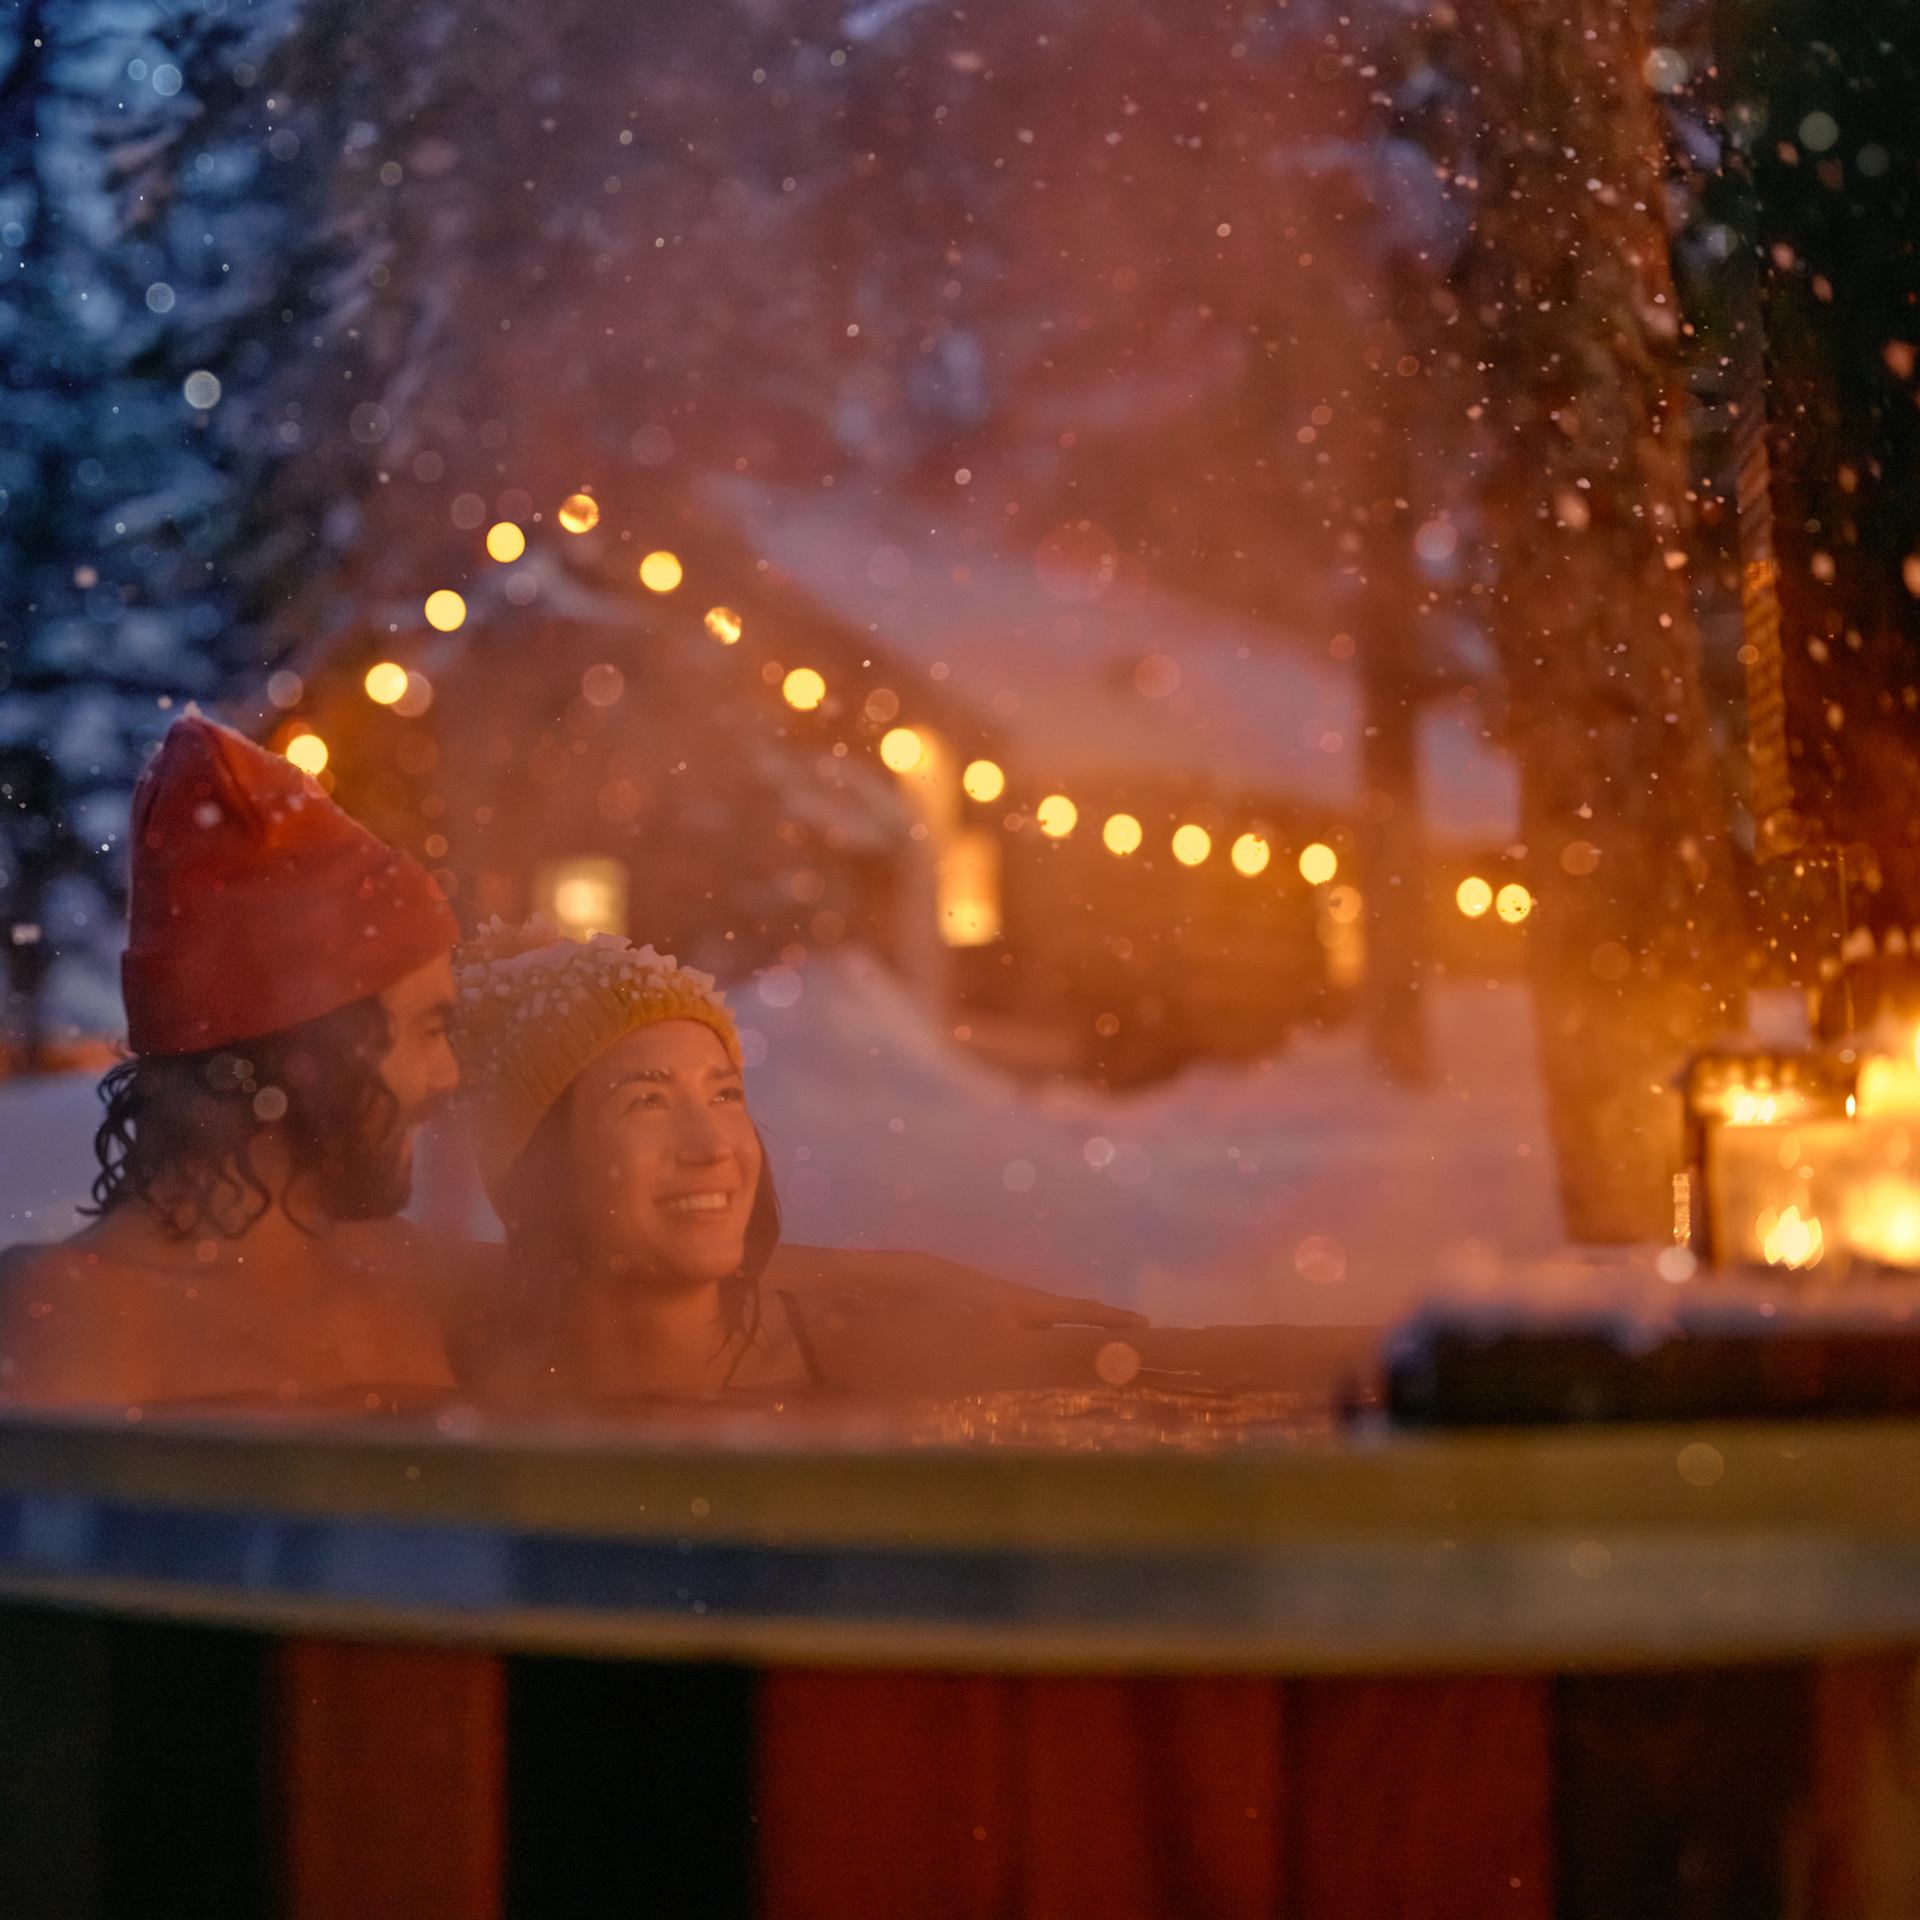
(393, 1779)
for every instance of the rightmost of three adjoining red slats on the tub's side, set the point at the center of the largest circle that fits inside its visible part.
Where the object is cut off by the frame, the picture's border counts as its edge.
(1424, 1798)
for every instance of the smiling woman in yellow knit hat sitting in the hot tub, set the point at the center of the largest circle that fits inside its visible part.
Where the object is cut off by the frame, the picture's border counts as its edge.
(613, 1134)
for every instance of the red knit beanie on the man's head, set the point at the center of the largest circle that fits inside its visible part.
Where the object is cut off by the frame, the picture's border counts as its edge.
(256, 901)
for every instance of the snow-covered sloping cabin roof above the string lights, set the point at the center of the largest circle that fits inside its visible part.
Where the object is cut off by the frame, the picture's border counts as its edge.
(1134, 681)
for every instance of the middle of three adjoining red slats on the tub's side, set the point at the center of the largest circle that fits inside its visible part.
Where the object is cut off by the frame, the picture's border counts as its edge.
(1151, 1798)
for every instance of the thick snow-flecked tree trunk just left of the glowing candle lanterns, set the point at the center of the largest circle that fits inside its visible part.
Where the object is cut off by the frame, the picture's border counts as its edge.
(1570, 291)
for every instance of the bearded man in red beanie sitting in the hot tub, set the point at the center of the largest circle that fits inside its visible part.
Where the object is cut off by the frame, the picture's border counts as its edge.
(289, 988)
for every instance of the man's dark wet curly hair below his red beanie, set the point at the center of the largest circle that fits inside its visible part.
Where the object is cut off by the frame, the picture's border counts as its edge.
(180, 1132)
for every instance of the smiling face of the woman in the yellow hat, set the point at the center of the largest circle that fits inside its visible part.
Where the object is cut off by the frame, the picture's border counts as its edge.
(665, 1155)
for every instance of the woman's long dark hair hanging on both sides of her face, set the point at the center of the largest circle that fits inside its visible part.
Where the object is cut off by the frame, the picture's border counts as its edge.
(537, 1207)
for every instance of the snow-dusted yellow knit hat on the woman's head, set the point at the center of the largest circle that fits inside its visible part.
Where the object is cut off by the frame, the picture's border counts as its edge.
(537, 1011)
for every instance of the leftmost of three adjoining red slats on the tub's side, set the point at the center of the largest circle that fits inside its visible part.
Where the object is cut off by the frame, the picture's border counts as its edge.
(884, 1796)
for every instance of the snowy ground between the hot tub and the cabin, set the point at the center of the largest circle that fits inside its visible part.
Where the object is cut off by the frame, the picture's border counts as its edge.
(1305, 1191)
